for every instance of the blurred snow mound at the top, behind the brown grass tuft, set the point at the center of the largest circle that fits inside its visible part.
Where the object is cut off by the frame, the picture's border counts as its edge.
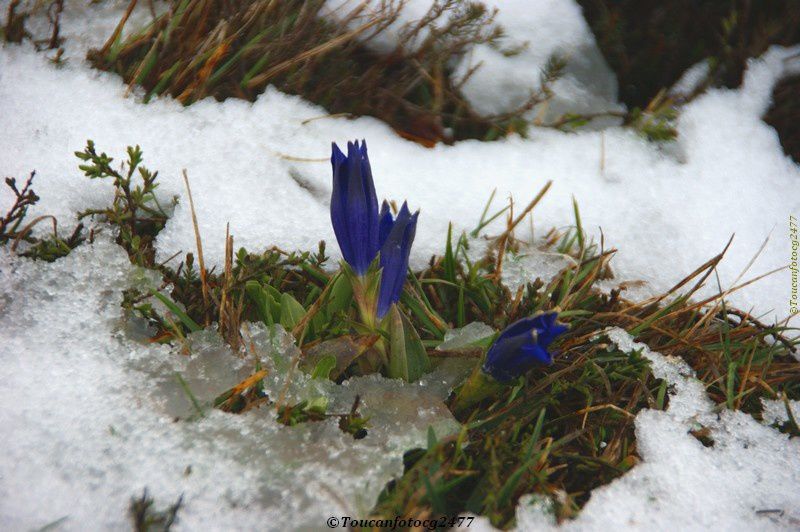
(536, 30)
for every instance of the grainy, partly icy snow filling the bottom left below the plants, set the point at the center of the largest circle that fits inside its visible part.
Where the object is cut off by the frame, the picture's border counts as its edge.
(94, 415)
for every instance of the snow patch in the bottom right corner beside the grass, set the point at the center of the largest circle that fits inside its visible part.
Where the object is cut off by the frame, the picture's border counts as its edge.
(749, 479)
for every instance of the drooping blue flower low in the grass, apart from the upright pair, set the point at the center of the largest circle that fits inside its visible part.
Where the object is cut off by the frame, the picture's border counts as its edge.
(522, 345)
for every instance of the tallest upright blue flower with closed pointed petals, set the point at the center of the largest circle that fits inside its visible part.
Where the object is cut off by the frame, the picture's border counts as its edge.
(354, 206)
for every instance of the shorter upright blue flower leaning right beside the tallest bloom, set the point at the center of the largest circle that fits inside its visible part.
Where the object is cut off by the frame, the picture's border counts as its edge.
(395, 236)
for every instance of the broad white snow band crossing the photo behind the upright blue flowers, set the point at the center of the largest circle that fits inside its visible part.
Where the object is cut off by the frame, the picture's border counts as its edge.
(666, 209)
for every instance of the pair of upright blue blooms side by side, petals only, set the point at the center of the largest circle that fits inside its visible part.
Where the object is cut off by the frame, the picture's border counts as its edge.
(364, 233)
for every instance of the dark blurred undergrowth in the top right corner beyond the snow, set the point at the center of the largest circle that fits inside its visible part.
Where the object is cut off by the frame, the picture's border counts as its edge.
(650, 43)
